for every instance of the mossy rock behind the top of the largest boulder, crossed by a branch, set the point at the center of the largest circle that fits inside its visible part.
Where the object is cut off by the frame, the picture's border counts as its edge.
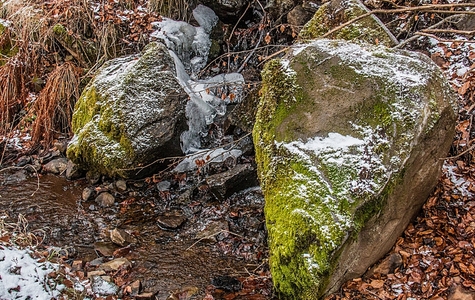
(336, 12)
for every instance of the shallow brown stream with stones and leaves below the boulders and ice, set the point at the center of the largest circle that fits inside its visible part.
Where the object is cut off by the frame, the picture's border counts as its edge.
(218, 240)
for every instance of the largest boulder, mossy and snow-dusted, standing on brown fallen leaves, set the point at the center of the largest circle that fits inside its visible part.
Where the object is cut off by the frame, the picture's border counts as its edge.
(348, 144)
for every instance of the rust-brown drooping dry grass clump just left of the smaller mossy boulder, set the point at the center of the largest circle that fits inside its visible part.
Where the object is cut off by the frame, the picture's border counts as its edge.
(55, 103)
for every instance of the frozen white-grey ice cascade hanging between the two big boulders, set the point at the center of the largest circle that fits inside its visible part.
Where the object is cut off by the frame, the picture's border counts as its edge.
(189, 47)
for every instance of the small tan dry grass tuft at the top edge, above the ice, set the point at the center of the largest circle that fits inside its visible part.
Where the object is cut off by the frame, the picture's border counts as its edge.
(175, 9)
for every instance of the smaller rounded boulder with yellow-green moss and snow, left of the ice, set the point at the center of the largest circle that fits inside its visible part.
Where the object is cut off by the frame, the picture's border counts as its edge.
(129, 115)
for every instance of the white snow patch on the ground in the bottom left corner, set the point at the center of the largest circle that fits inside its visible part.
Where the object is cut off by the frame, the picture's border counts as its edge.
(23, 277)
